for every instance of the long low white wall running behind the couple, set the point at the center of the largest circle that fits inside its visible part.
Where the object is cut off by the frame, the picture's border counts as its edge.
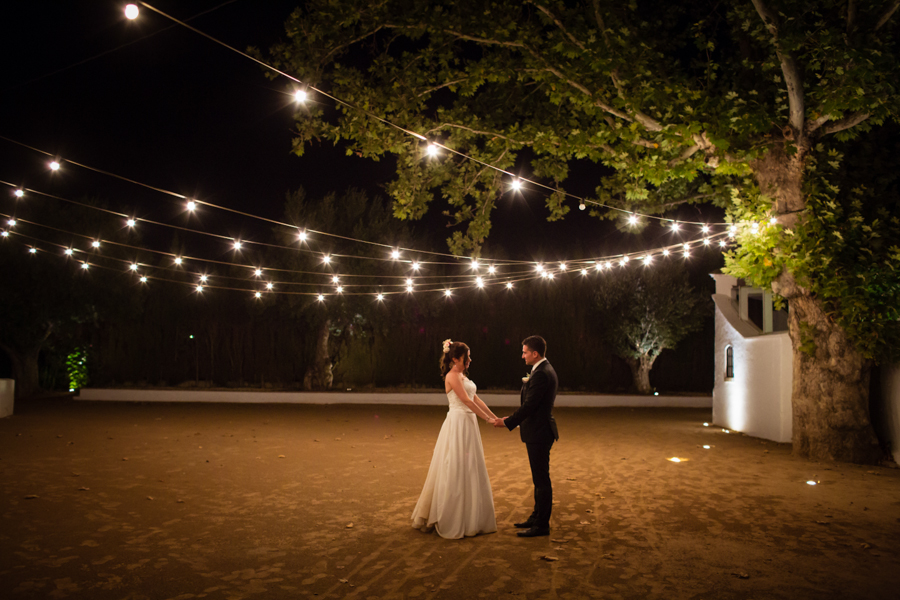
(409, 398)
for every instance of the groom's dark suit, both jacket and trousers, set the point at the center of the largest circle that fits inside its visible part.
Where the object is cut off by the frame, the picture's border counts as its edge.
(538, 430)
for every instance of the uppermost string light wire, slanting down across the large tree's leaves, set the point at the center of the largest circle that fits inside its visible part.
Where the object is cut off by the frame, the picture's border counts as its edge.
(413, 133)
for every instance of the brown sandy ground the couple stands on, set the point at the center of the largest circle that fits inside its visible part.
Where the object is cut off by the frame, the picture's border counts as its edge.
(286, 501)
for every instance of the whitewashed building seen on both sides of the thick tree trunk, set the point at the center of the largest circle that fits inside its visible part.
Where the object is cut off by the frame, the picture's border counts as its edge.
(754, 369)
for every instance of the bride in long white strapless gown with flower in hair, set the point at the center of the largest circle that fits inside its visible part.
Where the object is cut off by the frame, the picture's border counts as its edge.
(457, 499)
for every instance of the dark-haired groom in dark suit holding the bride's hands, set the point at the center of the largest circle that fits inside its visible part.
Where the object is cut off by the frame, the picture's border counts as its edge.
(538, 430)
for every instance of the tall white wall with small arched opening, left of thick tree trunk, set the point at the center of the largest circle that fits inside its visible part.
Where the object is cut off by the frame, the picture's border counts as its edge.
(757, 400)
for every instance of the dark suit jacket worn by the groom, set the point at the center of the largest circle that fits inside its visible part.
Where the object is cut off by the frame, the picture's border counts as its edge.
(534, 417)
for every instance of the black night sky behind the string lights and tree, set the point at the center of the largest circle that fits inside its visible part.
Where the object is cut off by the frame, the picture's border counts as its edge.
(177, 111)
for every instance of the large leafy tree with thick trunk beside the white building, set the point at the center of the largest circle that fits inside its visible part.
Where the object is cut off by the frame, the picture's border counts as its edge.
(734, 104)
